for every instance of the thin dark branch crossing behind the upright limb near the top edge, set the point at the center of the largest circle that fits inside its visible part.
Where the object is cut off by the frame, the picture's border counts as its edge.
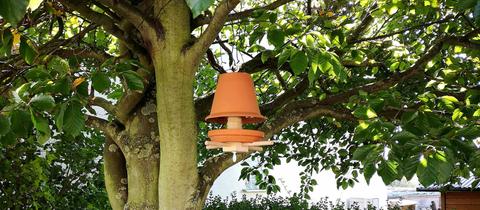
(202, 20)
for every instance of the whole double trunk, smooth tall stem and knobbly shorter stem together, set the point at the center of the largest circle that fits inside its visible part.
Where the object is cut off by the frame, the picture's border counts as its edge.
(161, 162)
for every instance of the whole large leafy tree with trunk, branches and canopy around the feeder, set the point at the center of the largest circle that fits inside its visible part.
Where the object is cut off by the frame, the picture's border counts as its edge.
(352, 86)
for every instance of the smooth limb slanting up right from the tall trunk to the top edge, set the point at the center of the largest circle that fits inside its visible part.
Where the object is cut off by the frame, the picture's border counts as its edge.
(207, 38)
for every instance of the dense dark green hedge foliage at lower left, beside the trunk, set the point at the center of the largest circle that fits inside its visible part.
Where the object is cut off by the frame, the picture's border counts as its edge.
(65, 173)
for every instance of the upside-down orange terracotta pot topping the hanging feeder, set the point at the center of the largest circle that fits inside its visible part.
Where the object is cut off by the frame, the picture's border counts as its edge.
(235, 97)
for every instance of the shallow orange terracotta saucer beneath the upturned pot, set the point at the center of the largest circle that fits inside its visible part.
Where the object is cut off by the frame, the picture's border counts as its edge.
(235, 135)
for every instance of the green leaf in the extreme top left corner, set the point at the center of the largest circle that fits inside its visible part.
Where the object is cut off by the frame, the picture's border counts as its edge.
(13, 10)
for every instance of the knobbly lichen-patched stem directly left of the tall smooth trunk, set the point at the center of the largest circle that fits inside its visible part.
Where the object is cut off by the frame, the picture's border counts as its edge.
(140, 144)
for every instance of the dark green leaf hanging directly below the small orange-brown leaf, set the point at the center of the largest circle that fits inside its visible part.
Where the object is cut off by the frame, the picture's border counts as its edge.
(73, 120)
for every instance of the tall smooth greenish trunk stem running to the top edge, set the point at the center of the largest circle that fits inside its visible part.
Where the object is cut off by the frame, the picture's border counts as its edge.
(178, 176)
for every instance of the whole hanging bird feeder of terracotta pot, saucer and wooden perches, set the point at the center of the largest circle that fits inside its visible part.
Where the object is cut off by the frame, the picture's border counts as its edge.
(235, 104)
